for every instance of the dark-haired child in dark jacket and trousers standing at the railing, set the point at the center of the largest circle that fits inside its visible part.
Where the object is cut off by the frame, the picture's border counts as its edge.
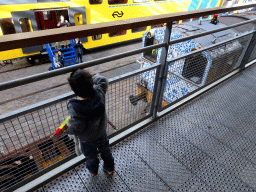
(88, 119)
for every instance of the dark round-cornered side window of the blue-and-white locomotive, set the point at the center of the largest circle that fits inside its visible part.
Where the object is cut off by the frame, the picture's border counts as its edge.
(194, 68)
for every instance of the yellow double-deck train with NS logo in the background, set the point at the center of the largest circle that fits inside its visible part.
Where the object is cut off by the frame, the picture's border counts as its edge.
(33, 15)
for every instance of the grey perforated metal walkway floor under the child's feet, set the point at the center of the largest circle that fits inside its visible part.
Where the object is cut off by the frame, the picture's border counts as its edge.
(208, 144)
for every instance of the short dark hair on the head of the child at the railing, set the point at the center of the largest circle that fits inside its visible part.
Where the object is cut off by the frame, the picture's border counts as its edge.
(81, 83)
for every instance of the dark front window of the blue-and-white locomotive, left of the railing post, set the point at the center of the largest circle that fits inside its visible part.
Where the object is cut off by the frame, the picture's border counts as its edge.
(151, 54)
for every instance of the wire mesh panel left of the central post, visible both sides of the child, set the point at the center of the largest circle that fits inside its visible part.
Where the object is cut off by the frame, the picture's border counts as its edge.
(28, 142)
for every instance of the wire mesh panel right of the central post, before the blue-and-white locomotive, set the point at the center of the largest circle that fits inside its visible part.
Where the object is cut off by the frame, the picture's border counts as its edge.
(197, 70)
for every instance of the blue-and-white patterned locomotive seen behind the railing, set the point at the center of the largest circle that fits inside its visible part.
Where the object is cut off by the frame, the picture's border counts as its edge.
(192, 72)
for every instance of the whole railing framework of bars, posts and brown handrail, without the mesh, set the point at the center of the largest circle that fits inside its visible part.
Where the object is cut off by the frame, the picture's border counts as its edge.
(12, 41)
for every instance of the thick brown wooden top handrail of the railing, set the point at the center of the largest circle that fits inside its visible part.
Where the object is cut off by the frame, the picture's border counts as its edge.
(27, 39)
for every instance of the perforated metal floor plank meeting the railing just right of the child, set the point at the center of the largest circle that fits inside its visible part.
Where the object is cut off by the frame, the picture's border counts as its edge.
(169, 169)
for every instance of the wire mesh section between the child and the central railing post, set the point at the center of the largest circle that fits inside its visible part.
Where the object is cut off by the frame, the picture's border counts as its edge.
(127, 101)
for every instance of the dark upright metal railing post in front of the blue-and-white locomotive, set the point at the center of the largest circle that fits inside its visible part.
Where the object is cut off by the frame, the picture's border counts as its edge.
(160, 85)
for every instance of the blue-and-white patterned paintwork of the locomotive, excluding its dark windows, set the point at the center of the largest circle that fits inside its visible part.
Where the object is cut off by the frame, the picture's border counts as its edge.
(176, 85)
